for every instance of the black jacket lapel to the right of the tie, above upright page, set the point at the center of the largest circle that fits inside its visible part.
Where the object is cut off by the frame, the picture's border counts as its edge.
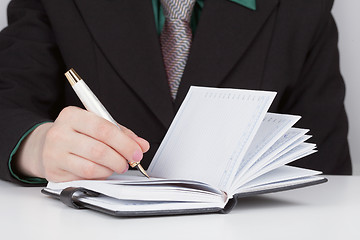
(224, 33)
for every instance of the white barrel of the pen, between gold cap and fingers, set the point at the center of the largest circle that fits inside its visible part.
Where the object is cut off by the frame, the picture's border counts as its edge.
(91, 102)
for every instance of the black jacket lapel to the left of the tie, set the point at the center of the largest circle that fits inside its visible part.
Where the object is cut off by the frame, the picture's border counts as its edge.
(129, 40)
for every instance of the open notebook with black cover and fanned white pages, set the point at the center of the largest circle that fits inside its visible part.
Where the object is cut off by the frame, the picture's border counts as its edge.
(221, 145)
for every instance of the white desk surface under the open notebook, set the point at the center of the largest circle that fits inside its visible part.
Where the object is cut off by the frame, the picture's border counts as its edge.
(325, 211)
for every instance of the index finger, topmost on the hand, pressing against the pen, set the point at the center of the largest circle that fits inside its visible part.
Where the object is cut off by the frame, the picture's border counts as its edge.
(96, 127)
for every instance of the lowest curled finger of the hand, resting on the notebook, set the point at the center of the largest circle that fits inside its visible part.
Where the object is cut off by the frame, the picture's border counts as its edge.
(84, 168)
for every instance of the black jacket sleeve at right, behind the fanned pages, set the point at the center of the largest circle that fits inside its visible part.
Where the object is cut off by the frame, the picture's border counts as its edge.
(319, 96)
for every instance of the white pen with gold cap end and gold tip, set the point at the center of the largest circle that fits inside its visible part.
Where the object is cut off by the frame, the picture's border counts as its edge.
(92, 104)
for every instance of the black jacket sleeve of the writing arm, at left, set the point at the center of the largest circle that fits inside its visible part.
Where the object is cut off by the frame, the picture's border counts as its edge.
(31, 80)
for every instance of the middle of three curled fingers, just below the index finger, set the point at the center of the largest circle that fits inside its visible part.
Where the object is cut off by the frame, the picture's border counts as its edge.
(98, 152)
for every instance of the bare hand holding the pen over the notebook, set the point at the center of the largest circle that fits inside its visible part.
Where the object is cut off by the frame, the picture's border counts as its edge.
(79, 145)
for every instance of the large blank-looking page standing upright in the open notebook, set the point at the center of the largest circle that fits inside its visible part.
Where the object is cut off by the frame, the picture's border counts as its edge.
(210, 134)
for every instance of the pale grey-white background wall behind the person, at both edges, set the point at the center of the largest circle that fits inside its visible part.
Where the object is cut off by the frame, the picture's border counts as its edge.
(347, 16)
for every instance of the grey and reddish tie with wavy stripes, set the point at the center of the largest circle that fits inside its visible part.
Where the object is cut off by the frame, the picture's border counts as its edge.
(175, 39)
